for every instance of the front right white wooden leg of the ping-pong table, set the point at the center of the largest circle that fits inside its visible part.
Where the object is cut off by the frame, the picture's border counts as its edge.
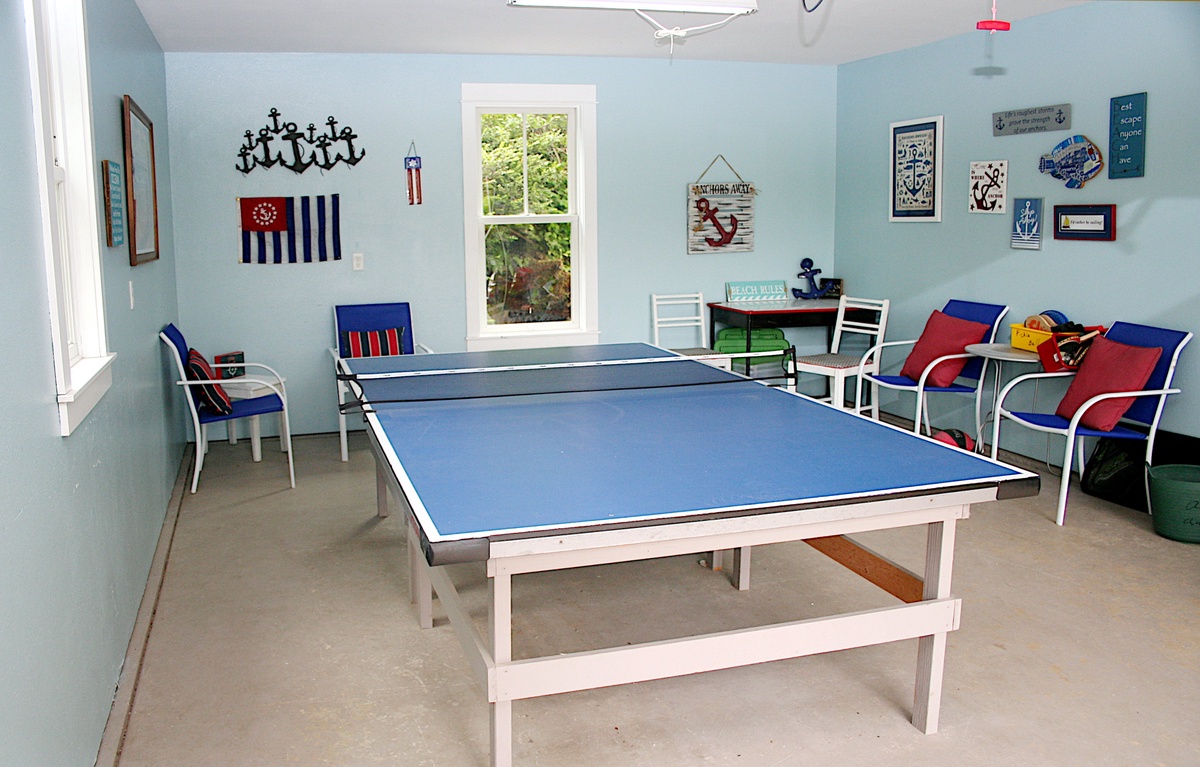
(932, 650)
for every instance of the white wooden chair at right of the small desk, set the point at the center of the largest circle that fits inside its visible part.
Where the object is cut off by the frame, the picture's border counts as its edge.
(838, 365)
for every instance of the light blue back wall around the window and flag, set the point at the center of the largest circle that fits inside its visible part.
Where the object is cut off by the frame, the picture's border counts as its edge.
(661, 124)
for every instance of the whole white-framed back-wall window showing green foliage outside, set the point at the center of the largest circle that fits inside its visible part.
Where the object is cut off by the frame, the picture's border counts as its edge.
(530, 215)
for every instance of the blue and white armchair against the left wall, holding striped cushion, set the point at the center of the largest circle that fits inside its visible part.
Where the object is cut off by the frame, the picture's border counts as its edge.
(209, 404)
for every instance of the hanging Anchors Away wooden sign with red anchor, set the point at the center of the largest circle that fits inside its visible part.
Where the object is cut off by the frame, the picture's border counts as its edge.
(721, 217)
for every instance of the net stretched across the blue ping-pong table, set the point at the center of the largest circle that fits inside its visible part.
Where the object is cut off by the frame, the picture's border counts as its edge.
(374, 390)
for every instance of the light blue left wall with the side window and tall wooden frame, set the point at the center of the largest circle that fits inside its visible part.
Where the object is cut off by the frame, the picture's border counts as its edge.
(81, 516)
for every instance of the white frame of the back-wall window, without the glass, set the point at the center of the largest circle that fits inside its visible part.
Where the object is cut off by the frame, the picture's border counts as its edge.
(579, 104)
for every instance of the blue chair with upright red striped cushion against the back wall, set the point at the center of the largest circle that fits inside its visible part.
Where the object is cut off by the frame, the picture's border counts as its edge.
(369, 331)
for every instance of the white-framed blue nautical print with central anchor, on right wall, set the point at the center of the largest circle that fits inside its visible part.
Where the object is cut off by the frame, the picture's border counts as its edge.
(916, 176)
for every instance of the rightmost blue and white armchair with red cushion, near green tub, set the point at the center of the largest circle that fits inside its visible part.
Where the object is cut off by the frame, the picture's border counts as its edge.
(1125, 379)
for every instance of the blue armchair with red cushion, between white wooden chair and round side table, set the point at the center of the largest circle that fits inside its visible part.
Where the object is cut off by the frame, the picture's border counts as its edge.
(939, 362)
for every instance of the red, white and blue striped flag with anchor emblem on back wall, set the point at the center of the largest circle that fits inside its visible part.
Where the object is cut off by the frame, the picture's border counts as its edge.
(291, 230)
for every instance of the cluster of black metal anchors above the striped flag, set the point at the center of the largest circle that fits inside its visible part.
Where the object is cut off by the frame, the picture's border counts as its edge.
(298, 151)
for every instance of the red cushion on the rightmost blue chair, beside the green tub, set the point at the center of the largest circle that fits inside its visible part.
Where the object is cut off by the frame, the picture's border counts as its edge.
(1108, 367)
